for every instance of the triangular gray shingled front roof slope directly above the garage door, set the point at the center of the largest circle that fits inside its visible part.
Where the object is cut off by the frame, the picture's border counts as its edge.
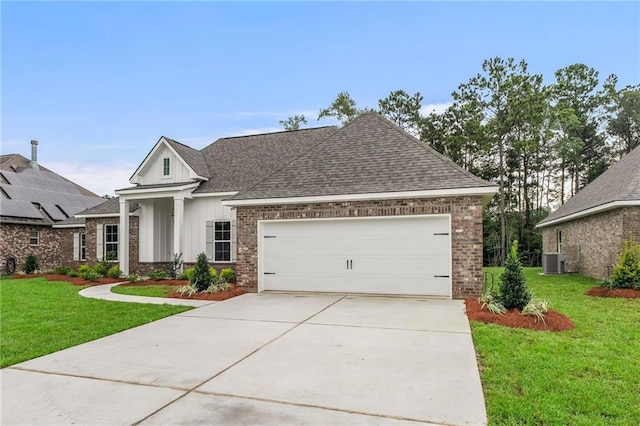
(368, 155)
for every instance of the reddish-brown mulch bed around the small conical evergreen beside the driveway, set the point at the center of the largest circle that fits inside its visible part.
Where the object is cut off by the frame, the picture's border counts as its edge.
(553, 320)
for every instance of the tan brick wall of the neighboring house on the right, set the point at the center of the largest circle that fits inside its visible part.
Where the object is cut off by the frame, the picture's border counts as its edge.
(591, 245)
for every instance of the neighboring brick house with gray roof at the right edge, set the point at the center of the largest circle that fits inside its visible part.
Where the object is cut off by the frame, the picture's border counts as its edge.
(589, 228)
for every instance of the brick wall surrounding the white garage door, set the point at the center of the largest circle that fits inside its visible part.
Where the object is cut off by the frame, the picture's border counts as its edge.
(466, 232)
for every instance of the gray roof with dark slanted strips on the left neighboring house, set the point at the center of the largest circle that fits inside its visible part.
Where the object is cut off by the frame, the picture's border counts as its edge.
(38, 195)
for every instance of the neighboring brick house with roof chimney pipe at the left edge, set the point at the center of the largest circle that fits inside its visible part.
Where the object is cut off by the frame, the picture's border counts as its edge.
(33, 200)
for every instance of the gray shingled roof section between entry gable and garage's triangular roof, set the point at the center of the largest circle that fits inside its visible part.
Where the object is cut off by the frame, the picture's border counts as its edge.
(238, 162)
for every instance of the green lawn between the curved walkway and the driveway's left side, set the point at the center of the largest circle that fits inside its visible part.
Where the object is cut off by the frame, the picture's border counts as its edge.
(38, 317)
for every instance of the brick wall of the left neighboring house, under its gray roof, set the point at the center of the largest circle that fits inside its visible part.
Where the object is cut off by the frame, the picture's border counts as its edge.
(14, 241)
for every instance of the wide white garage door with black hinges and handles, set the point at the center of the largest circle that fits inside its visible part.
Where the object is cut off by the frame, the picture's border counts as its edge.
(397, 255)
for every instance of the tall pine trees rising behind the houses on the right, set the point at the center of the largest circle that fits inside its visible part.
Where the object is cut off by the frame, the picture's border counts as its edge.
(540, 143)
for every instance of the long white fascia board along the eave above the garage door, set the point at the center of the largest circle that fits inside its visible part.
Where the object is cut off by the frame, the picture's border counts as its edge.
(484, 190)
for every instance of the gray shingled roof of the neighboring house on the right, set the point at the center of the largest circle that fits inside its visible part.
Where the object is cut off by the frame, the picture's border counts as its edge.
(621, 182)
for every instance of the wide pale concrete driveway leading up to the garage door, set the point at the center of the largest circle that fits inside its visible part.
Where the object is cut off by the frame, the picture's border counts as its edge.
(264, 359)
